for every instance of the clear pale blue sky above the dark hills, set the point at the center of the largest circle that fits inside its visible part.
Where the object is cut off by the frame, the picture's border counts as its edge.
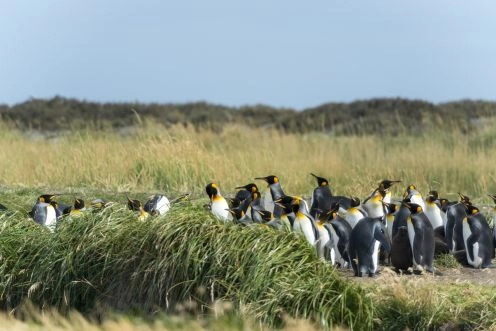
(282, 53)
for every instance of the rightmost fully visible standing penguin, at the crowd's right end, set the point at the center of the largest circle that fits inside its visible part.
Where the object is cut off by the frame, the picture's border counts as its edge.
(478, 239)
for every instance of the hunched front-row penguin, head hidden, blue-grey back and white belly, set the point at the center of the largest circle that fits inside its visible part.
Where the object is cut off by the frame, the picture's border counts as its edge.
(364, 245)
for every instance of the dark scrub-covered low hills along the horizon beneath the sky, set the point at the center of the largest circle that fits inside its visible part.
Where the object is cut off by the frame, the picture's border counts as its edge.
(378, 116)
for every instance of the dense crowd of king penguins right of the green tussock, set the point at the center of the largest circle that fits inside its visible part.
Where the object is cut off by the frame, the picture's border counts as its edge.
(350, 233)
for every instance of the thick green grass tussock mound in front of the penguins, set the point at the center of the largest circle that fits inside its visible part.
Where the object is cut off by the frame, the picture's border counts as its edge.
(112, 260)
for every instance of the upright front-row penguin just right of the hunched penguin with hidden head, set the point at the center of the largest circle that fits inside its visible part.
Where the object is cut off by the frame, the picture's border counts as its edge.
(421, 235)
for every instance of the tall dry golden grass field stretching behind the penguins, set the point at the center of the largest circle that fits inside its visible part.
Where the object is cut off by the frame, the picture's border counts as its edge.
(180, 159)
